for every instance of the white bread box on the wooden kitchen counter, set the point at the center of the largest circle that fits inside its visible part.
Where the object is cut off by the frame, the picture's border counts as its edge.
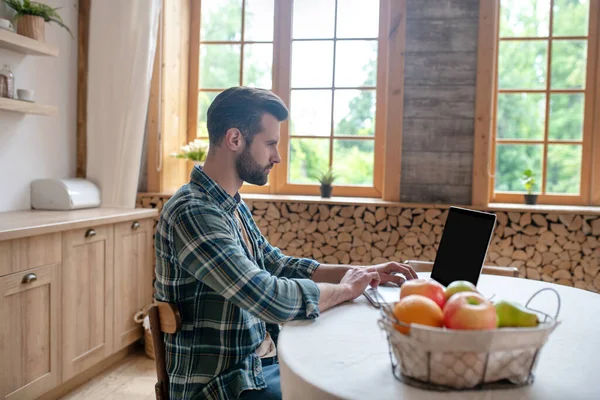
(64, 194)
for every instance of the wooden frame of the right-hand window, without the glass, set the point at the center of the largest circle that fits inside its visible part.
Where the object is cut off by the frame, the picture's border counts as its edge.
(485, 122)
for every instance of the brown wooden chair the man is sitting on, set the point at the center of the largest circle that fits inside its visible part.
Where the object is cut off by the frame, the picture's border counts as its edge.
(164, 318)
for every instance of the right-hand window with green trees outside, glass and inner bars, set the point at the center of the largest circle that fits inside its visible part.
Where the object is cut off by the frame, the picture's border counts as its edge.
(544, 100)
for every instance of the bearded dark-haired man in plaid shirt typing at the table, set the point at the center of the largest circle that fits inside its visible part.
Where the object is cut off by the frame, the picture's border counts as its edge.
(230, 285)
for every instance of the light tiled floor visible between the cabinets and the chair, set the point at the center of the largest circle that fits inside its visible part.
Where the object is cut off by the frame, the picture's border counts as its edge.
(131, 379)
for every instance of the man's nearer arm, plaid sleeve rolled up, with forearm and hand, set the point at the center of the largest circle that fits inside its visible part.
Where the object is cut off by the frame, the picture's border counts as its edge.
(206, 248)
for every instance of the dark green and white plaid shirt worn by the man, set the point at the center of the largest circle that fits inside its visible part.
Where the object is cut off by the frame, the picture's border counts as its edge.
(227, 297)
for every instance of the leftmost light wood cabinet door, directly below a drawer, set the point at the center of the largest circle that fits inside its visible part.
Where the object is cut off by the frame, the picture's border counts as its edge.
(29, 322)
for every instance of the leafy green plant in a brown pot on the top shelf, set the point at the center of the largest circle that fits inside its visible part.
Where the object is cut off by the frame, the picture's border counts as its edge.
(31, 16)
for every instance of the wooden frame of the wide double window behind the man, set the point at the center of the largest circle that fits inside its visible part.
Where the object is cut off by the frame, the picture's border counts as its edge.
(389, 89)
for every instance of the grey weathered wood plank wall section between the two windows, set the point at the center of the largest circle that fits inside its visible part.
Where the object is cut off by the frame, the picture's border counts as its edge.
(439, 101)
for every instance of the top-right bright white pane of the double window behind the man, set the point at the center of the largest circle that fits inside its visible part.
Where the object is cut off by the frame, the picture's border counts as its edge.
(357, 19)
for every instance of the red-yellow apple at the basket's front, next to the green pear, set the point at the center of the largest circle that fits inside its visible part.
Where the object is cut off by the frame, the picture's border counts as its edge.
(469, 310)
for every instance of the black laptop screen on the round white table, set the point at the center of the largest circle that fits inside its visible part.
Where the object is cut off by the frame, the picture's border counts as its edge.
(463, 246)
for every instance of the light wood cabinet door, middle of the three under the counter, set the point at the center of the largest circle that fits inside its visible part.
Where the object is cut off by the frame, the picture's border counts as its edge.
(88, 298)
